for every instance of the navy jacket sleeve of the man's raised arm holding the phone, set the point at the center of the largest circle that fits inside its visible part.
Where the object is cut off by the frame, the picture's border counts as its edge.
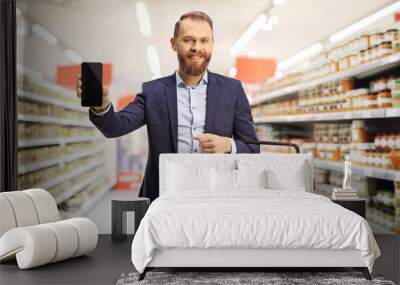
(115, 124)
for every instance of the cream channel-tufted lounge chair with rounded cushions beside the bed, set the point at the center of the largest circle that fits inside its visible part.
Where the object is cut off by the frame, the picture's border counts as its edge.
(31, 231)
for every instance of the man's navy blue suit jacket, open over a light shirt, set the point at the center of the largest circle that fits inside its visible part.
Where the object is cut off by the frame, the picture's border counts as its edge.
(227, 114)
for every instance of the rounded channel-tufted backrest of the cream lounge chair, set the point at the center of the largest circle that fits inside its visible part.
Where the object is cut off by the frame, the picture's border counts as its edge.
(26, 208)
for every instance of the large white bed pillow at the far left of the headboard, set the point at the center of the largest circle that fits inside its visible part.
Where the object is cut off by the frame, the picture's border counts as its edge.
(183, 177)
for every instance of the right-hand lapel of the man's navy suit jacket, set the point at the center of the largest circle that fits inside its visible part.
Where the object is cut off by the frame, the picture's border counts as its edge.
(211, 104)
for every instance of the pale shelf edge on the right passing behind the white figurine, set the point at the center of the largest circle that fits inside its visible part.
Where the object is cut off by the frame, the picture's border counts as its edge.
(374, 172)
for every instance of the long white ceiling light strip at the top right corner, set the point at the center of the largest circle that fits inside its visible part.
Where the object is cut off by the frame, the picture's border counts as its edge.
(338, 36)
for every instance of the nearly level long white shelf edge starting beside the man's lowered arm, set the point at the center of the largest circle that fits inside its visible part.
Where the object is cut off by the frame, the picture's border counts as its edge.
(334, 116)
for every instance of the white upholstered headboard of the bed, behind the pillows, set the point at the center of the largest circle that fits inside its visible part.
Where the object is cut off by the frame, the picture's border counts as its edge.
(297, 166)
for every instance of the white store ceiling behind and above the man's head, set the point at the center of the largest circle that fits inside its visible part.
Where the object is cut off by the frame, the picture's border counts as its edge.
(107, 31)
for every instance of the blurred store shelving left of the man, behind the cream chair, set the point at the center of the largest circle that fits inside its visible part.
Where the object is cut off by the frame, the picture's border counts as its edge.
(59, 149)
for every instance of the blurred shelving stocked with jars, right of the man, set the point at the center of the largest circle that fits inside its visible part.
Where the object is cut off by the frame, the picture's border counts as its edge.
(376, 178)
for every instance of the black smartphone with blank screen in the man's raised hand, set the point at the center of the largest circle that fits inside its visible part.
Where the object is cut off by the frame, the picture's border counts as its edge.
(92, 84)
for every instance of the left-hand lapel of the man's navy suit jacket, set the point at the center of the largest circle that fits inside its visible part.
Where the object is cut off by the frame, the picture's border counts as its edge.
(170, 93)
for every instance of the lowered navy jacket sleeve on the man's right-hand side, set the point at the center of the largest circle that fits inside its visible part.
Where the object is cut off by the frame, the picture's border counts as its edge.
(243, 125)
